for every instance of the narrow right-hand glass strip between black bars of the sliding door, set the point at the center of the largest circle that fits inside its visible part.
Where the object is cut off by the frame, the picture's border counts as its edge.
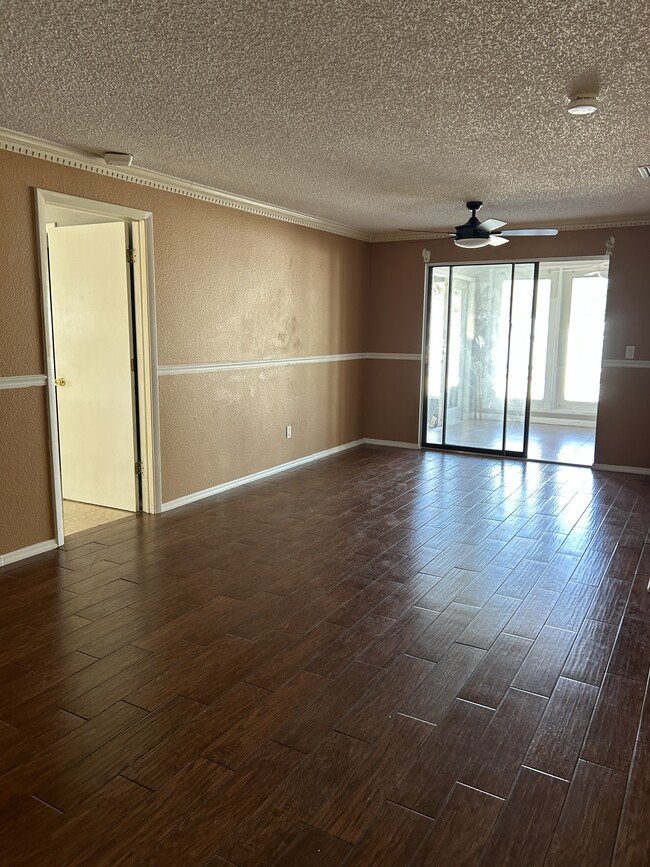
(519, 356)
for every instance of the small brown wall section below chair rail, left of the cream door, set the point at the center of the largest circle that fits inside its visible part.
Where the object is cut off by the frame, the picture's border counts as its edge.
(26, 514)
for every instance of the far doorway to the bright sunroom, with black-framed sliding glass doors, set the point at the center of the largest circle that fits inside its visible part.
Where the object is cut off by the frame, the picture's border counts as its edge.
(513, 358)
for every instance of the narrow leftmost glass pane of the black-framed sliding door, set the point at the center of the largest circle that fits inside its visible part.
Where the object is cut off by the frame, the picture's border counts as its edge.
(436, 351)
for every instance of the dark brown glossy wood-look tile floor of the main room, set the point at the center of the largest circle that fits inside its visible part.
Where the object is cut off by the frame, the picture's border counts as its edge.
(384, 658)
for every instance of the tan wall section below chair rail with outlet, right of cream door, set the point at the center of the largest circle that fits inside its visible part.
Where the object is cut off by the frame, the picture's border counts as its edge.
(229, 424)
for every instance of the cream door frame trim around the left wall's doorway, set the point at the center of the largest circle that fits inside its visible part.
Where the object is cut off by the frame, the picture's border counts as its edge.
(144, 328)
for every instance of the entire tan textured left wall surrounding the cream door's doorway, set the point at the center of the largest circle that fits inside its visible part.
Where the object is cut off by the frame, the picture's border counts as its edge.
(230, 286)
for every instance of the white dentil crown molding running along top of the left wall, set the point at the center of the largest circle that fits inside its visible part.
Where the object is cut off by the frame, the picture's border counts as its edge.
(31, 146)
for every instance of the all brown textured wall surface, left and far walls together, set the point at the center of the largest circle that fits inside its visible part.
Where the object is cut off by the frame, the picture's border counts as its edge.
(233, 286)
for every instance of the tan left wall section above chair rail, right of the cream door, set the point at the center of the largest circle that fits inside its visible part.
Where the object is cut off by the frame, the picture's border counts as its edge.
(253, 288)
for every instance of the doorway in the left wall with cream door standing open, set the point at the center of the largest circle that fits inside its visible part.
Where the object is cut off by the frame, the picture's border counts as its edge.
(96, 273)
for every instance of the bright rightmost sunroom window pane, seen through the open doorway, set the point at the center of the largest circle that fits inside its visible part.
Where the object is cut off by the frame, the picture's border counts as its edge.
(585, 340)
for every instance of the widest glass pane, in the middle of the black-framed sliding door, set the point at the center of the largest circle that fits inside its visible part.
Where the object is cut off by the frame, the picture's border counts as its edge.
(478, 355)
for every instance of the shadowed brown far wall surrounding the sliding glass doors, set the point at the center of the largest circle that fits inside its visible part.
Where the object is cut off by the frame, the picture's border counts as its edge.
(395, 325)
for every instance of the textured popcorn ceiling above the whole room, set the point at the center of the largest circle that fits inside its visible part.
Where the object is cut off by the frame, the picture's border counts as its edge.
(374, 113)
